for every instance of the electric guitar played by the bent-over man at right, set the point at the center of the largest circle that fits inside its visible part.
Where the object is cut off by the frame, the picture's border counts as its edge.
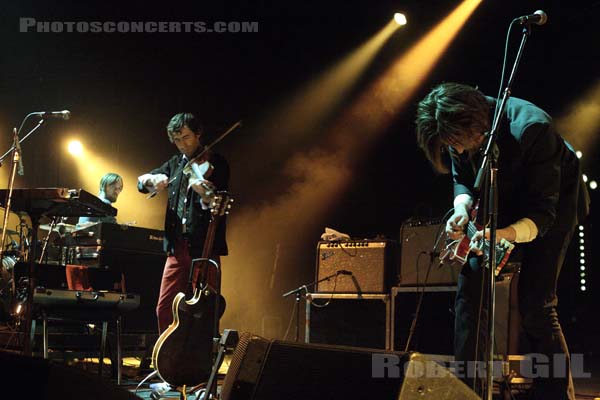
(456, 251)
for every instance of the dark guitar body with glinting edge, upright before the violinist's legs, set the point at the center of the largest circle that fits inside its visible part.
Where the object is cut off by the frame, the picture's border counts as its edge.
(183, 353)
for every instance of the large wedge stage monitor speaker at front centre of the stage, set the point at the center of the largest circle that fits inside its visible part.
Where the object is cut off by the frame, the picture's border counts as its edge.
(264, 369)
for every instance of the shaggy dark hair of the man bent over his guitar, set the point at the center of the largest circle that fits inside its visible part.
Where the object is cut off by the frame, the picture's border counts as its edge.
(449, 111)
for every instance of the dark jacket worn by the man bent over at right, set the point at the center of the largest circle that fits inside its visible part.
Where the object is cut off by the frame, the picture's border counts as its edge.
(539, 174)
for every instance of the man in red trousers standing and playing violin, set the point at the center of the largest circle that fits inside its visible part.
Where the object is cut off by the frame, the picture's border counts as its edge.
(188, 215)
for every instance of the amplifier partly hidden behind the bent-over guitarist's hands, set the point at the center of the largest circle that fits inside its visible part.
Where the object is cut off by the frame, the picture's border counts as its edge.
(417, 255)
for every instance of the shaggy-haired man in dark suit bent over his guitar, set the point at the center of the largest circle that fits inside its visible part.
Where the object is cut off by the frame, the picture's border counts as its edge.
(541, 199)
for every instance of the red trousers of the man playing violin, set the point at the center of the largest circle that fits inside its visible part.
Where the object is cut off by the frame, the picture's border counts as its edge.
(175, 279)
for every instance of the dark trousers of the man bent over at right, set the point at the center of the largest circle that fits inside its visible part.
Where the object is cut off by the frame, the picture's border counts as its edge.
(540, 266)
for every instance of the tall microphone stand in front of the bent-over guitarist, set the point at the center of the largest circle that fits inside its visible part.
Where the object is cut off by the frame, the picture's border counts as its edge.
(489, 167)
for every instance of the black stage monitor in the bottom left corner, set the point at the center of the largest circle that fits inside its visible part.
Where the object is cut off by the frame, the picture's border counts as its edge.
(36, 378)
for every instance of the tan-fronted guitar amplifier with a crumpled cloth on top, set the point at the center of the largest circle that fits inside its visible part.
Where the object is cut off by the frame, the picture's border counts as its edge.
(367, 266)
